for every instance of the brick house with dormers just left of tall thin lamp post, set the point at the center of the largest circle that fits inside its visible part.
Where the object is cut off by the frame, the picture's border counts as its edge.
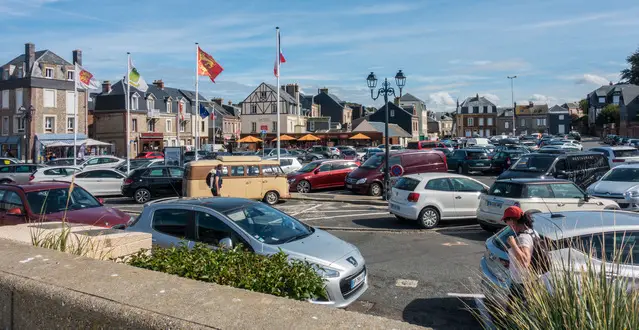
(476, 116)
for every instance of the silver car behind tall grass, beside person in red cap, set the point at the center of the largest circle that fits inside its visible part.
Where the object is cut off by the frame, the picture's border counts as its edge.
(581, 236)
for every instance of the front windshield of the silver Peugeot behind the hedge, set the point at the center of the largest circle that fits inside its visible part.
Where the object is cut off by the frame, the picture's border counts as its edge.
(269, 225)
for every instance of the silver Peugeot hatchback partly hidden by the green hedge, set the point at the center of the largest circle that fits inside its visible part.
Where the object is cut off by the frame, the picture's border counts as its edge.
(266, 230)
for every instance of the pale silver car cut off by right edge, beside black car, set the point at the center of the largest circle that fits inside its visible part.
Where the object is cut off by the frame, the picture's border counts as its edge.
(620, 184)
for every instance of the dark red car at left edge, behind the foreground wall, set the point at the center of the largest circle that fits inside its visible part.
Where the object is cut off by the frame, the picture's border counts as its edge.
(50, 201)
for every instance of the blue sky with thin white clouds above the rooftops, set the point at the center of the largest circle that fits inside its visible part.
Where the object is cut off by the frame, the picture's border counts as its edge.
(559, 49)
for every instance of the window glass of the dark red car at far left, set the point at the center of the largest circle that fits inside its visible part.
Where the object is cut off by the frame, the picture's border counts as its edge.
(58, 200)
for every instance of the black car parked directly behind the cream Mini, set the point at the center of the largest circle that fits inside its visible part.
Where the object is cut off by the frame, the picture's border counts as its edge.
(582, 168)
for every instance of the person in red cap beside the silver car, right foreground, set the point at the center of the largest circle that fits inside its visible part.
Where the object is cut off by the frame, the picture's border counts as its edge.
(520, 248)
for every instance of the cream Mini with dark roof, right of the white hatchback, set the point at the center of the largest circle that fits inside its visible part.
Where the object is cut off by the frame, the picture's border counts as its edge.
(541, 195)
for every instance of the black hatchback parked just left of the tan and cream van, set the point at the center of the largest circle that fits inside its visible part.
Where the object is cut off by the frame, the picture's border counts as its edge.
(153, 182)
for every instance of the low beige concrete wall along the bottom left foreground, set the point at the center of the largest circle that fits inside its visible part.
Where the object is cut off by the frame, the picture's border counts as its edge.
(45, 289)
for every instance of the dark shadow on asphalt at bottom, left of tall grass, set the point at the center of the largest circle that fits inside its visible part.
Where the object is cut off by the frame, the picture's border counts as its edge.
(441, 313)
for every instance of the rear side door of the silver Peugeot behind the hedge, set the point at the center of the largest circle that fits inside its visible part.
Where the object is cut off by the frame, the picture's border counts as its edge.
(172, 226)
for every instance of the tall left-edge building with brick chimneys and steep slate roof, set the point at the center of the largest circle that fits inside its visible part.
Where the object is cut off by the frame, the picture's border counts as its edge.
(44, 82)
